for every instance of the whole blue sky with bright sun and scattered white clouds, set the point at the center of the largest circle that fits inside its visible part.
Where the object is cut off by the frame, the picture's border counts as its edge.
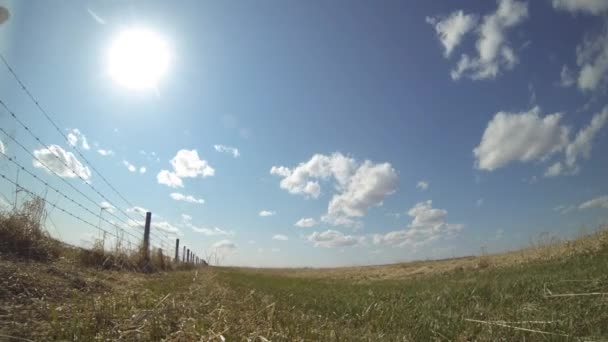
(311, 133)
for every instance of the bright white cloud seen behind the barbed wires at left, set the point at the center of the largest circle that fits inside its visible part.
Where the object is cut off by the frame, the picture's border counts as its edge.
(56, 160)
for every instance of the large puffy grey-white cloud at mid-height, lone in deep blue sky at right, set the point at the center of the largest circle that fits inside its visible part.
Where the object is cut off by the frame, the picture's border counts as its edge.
(520, 137)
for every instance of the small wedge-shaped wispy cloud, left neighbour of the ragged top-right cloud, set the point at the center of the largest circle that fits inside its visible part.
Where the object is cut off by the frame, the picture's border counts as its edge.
(451, 29)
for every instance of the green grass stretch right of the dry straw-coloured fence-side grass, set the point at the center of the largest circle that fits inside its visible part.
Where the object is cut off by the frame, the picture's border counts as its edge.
(435, 307)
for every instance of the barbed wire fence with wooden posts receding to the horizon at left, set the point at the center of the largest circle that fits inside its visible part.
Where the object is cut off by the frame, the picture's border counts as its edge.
(131, 226)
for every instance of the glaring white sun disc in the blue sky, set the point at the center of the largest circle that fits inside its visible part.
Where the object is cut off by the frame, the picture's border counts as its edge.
(138, 59)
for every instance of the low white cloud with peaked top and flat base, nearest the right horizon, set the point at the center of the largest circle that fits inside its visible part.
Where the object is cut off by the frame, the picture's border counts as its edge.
(428, 224)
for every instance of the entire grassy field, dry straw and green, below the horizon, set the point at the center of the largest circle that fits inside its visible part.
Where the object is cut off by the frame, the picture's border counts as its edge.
(553, 293)
